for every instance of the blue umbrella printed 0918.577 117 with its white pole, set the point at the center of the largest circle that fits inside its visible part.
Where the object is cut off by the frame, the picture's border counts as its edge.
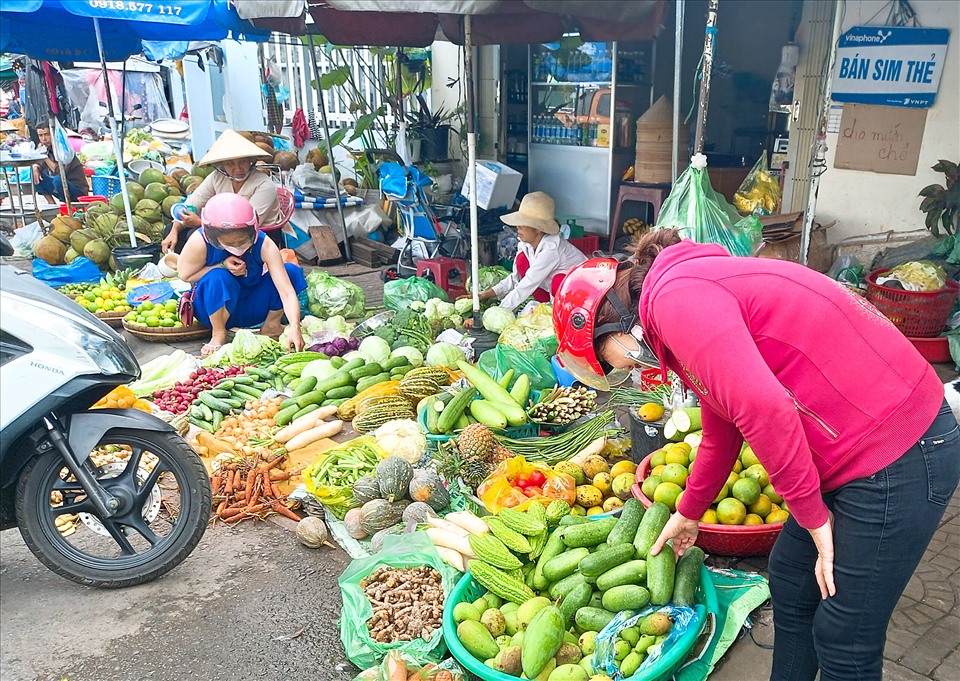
(60, 30)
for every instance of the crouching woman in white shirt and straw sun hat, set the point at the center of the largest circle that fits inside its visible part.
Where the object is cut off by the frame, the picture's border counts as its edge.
(543, 258)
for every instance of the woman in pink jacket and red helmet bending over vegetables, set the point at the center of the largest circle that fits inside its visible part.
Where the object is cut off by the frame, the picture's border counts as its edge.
(846, 417)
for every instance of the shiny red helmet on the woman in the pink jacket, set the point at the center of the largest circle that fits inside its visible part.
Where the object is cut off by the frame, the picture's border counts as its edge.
(575, 308)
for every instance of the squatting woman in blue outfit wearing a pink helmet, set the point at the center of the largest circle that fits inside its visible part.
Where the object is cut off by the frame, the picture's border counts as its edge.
(228, 260)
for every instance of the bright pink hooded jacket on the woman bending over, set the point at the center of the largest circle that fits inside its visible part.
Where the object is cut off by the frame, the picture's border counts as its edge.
(822, 386)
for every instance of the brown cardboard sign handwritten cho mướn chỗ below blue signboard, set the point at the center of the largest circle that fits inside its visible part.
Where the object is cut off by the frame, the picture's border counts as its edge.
(881, 139)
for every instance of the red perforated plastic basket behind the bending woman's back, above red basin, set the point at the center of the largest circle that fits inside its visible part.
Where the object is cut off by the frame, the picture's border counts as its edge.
(917, 314)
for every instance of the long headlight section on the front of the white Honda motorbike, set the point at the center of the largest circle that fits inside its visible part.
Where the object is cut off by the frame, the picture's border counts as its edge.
(105, 348)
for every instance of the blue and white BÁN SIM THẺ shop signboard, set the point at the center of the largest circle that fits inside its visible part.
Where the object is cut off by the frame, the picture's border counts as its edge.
(890, 65)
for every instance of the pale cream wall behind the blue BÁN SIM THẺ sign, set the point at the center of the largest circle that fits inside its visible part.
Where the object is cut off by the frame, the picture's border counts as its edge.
(865, 203)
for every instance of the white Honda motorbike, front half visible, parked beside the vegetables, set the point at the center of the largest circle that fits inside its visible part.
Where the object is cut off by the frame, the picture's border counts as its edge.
(103, 497)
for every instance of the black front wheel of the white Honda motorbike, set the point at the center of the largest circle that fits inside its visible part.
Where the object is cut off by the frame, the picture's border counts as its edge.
(165, 500)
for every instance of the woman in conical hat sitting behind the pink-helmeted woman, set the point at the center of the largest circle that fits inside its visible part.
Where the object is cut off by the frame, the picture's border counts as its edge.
(233, 158)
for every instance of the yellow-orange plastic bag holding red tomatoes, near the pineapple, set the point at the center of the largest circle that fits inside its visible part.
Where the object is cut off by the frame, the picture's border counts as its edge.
(497, 491)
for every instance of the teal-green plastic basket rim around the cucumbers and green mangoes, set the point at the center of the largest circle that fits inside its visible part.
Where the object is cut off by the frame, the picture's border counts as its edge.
(468, 590)
